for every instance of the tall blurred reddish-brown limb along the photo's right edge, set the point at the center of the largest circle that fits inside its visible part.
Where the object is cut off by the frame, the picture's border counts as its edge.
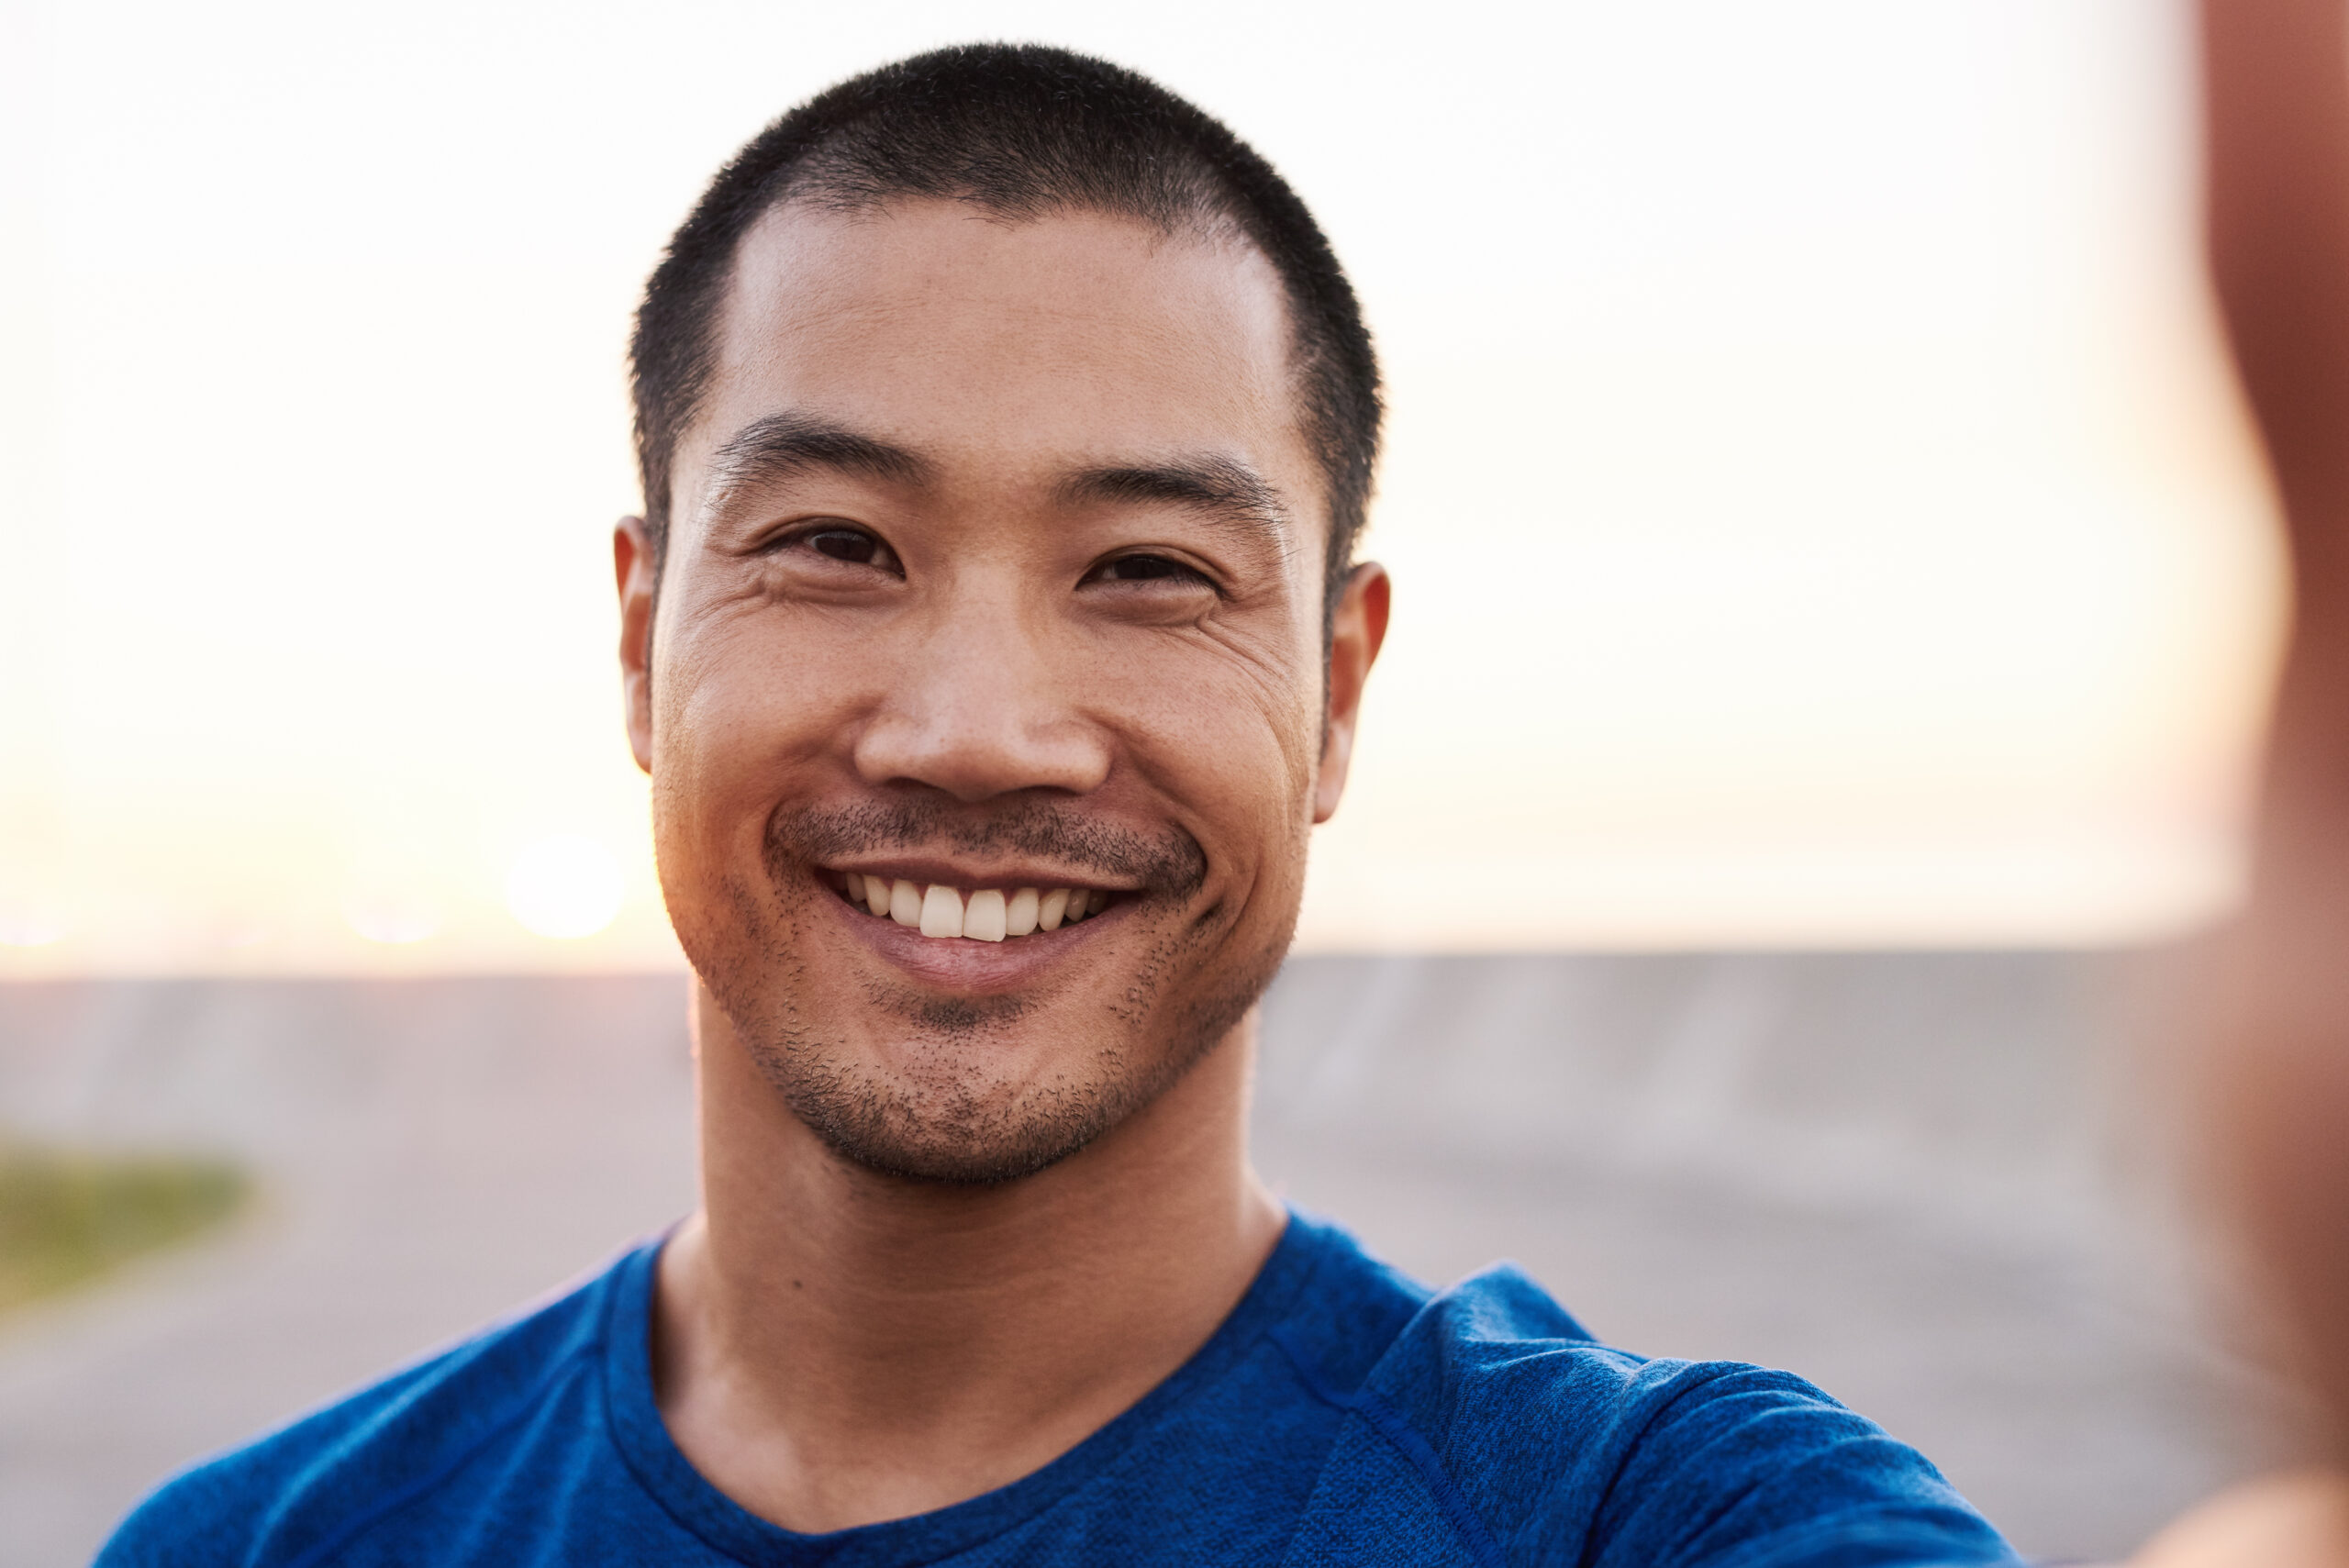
(2277, 121)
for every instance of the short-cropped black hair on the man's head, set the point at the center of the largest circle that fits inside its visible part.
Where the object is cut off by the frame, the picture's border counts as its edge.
(1018, 130)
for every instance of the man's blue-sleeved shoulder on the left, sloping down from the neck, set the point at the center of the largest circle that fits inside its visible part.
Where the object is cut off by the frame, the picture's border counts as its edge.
(288, 1494)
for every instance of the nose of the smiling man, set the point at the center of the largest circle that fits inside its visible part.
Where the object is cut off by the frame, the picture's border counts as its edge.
(985, 703)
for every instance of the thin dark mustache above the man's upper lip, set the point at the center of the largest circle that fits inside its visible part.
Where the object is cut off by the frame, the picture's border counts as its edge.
(1166, 863)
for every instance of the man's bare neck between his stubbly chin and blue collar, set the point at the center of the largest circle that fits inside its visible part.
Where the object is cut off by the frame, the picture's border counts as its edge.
(837, 1349)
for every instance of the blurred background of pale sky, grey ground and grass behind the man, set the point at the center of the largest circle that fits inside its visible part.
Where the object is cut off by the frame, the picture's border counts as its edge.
(1836, 604)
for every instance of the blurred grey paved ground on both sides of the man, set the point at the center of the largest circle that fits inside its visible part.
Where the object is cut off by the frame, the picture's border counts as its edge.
(1897, 1175)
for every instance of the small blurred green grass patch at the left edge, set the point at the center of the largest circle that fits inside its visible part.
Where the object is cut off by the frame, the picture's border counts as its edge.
(67, 1219)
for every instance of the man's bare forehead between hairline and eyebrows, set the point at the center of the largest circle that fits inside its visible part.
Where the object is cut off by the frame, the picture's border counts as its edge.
(1004, 346)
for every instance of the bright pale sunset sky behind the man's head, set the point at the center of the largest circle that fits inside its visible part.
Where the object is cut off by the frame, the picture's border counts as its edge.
(1815, 499)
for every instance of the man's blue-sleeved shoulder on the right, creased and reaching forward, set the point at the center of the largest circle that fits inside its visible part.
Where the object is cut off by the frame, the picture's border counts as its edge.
(1542, 1445)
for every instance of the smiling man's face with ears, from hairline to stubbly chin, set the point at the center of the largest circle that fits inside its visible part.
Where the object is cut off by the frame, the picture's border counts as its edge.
(995, 567)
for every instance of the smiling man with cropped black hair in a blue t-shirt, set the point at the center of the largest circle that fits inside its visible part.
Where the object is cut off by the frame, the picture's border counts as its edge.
(992, 642)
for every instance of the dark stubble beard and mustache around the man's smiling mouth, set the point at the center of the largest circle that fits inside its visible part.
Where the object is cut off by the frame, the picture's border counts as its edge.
(950, 1118)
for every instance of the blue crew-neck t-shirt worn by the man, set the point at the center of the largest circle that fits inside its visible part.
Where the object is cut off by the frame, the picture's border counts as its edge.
(1342, 1414)
